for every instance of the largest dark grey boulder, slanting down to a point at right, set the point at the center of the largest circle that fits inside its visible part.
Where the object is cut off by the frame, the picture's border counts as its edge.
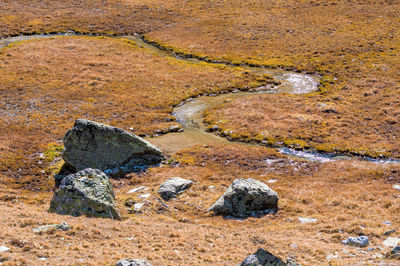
(93, 145)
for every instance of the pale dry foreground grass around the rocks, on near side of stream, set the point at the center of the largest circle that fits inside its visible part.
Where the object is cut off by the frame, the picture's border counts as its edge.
(347, 198)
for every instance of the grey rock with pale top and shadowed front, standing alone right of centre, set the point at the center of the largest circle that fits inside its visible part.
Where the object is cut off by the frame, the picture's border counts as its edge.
(246, 197)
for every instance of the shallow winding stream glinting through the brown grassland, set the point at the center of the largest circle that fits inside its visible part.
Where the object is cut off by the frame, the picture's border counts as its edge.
(190, 113)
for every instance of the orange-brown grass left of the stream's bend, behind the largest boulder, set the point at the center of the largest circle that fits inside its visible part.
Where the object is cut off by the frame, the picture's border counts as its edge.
(47, 84)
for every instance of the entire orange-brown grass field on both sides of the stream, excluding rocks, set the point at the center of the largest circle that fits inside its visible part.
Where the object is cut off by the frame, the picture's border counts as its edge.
(46, 84)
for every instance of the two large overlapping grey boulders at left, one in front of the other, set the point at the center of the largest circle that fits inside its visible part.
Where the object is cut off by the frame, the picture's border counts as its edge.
(93, 150)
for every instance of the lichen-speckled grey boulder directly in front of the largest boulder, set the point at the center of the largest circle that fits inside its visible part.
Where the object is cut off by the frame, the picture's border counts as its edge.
(87, 192)
